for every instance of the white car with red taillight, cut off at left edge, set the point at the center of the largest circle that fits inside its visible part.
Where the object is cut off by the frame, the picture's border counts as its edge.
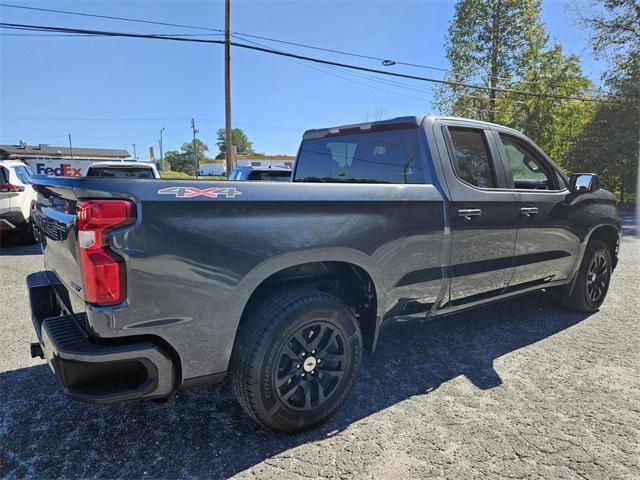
(17, 200)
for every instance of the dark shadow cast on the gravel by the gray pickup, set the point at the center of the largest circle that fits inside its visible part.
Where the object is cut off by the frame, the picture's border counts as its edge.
(204, 433)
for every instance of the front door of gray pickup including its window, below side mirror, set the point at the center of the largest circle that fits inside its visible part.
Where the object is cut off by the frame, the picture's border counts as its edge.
(546, 247)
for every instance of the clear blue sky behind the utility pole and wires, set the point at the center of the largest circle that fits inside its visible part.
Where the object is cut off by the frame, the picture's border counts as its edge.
(116, 92)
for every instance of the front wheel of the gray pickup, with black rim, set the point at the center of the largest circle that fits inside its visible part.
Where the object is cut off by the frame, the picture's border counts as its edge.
(593, 279)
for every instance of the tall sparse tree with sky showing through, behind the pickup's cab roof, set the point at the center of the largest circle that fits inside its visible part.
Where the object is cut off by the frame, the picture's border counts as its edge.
(487, 44)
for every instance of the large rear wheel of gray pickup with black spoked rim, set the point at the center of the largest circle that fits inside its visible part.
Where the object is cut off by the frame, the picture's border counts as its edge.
(278, 372)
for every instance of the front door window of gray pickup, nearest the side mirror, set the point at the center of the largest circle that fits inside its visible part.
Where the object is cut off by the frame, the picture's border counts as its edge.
(528, 171)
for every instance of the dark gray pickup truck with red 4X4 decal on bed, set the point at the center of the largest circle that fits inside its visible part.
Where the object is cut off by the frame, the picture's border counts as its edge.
(152, 286)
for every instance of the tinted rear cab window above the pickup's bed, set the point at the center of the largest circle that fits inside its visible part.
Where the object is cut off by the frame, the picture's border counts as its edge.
(385, 156)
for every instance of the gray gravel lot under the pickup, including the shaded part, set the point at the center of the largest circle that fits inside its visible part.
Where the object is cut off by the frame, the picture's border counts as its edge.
(520, 389)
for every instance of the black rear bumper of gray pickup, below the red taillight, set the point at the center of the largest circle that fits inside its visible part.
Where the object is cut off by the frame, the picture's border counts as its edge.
(88, 370)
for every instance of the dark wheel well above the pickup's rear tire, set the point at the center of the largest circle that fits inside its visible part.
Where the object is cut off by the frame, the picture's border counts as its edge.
(349, 282)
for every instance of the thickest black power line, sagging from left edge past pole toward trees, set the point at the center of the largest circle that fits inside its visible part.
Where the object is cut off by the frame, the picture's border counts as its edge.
(303, 57)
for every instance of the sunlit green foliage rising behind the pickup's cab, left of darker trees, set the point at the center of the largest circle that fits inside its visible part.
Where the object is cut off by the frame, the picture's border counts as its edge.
(502, 44)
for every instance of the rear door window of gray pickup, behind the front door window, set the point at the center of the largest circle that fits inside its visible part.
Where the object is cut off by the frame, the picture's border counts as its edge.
(471, 157)
